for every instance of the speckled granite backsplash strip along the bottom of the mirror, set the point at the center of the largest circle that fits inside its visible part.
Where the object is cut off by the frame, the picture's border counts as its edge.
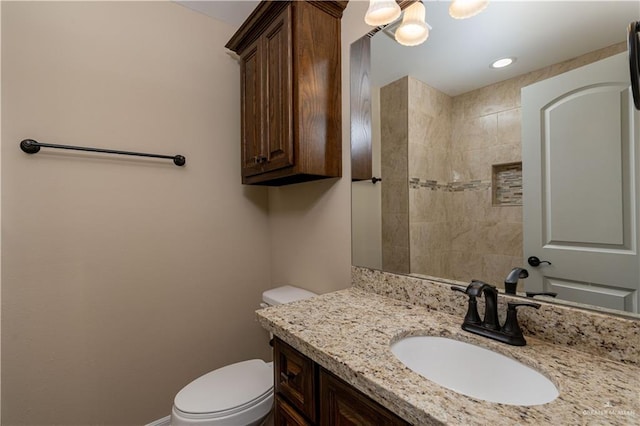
(607, 336)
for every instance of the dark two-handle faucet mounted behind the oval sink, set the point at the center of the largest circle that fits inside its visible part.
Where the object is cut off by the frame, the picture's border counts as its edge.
(510, 333)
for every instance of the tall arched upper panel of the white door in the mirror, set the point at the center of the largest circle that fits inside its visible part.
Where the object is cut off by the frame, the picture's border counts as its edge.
(589, 159)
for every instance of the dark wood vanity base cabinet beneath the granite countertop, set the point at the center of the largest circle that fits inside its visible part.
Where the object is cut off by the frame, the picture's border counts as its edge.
(307, 394)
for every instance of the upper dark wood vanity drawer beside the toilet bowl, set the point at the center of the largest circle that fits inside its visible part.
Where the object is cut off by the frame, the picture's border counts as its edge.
(295, 378)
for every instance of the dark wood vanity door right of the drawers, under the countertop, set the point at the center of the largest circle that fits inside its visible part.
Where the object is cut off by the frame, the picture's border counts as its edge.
(341, 404)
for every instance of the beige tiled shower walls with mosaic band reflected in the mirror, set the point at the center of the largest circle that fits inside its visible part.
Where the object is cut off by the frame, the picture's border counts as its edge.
(443, 220)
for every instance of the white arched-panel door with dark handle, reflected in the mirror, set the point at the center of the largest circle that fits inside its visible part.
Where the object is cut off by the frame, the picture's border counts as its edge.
(580, 185)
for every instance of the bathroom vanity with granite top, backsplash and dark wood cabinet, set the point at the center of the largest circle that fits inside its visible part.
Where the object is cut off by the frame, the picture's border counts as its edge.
(332, 358)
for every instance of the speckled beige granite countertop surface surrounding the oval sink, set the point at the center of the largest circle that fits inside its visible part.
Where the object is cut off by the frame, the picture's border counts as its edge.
(348, 332)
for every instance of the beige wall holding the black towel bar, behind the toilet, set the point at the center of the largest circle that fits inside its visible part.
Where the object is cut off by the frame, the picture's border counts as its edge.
(123, 279)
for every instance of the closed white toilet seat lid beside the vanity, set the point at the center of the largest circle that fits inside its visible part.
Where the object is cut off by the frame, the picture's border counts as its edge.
(227, 388)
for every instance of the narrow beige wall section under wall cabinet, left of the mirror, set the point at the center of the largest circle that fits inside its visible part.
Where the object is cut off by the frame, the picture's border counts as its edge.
(310, 223)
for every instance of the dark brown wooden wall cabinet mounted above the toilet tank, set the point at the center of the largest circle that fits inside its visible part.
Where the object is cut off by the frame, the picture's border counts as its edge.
(290, 70)
